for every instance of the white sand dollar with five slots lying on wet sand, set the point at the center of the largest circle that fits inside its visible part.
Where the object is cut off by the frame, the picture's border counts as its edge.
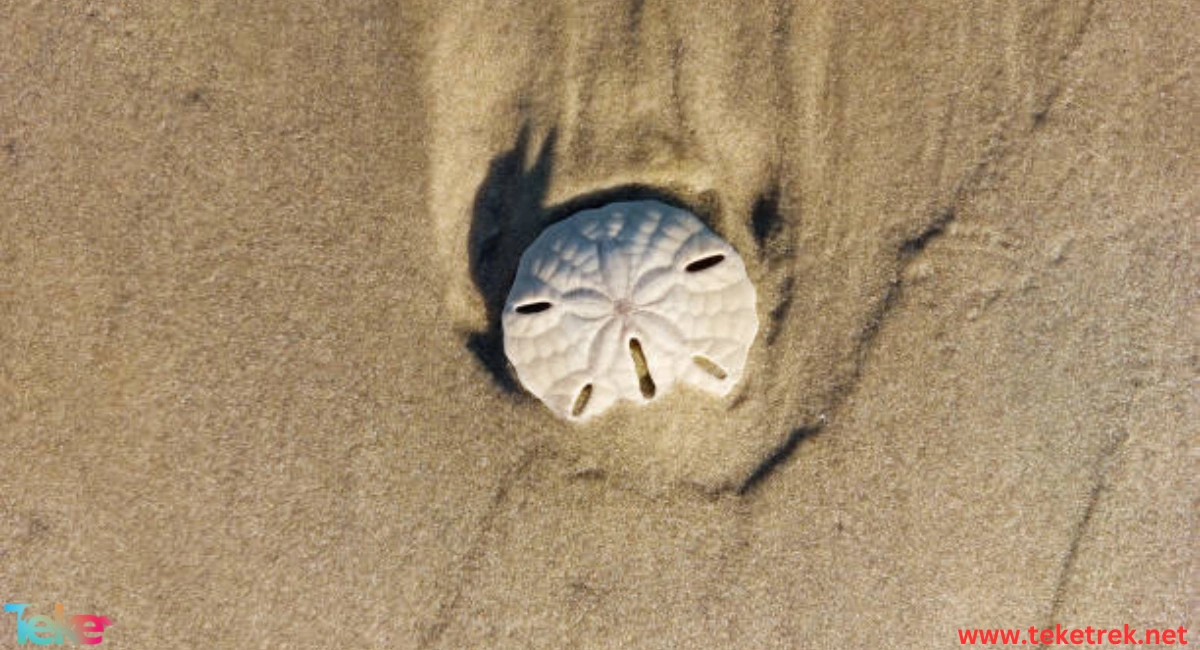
(623, 302)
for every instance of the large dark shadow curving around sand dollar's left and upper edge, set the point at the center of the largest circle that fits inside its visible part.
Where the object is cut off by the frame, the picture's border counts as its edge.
(508, 215)
